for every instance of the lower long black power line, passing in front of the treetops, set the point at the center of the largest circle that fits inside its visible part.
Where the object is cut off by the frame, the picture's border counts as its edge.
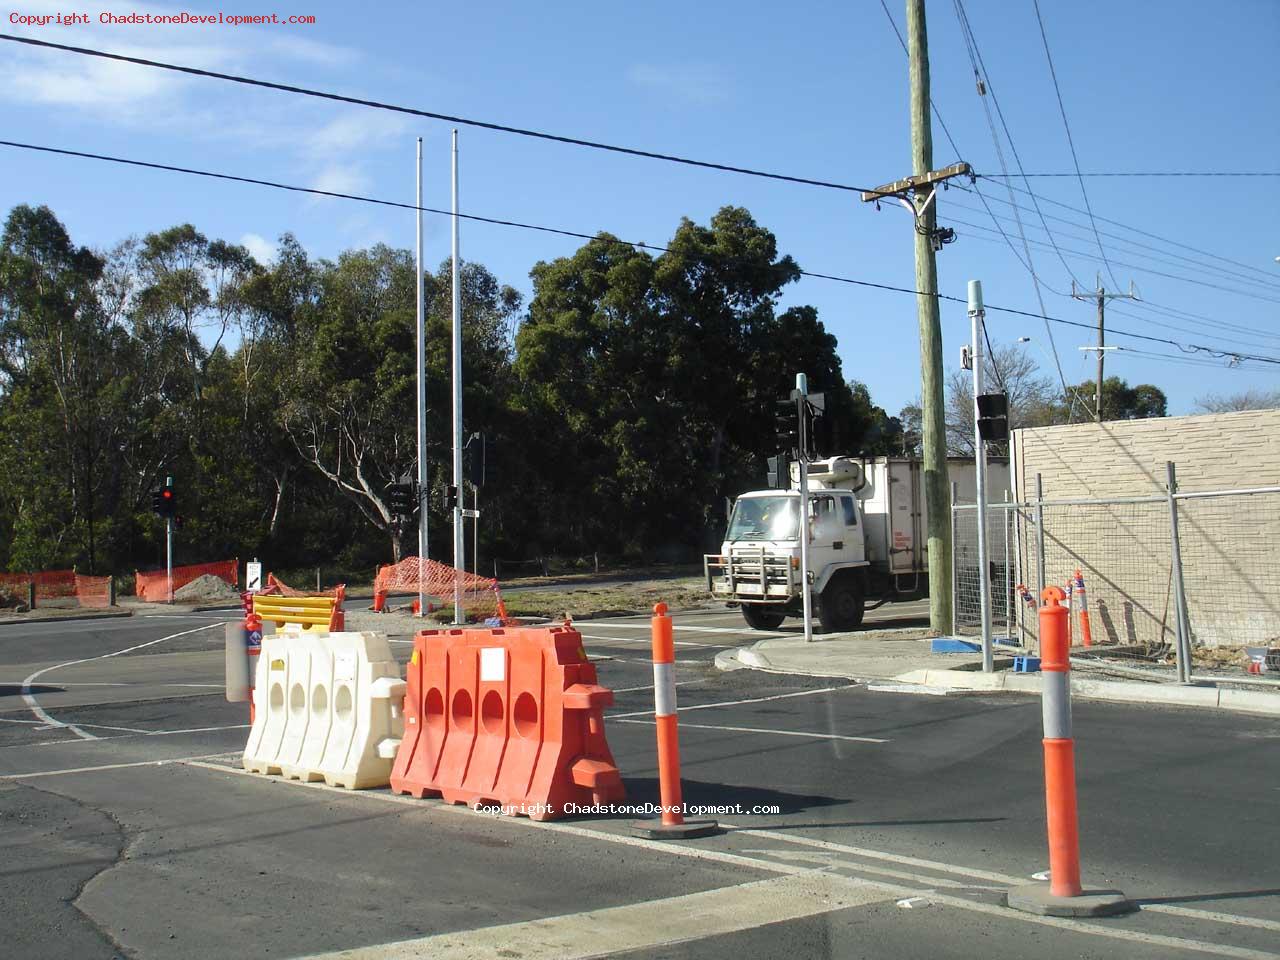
(1191, 349)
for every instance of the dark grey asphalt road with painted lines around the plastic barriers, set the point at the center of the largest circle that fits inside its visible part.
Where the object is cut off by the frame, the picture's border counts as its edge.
(129, 831)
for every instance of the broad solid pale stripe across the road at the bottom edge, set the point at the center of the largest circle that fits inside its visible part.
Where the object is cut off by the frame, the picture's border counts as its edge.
(644, 926)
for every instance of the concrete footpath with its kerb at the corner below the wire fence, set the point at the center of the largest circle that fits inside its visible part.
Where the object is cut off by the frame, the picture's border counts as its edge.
(902, 661)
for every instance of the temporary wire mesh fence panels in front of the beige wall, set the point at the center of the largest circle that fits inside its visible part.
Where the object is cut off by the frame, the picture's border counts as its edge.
(1165, 588)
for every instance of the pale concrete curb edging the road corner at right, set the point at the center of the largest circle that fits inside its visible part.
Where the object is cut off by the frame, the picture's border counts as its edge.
(963, 682)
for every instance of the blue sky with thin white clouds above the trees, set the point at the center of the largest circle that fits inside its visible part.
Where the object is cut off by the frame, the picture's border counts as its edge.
(816, 90)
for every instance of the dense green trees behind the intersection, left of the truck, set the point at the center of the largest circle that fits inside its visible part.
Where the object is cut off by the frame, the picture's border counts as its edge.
(637, 396)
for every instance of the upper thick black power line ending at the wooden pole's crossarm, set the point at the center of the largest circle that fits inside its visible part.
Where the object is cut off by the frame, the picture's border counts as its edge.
(433, 116)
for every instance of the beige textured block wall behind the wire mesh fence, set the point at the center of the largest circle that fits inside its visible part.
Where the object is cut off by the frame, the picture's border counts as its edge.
(1231, 546)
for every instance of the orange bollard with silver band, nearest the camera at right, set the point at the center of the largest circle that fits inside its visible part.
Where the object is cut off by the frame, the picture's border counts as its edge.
(1063, 895)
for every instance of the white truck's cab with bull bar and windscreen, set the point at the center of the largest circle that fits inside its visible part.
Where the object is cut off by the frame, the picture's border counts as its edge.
(760, 563)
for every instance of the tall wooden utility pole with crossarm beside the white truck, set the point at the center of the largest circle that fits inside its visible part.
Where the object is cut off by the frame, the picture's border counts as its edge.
(918, 194)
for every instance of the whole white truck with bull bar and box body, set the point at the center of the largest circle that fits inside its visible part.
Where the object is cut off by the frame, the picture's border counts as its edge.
(868, 540)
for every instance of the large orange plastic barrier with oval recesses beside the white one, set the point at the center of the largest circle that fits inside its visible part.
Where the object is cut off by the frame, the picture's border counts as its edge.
(510, 716)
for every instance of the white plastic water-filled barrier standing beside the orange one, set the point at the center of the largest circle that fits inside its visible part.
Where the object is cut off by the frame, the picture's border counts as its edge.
(327, 707)
